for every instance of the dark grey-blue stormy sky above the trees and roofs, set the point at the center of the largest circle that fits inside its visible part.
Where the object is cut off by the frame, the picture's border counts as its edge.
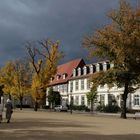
(65, 20)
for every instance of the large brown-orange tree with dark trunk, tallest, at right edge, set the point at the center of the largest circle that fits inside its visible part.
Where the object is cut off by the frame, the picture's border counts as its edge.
(119, 42)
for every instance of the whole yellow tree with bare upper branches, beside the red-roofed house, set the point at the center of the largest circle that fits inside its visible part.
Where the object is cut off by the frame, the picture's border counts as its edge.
(44, 61)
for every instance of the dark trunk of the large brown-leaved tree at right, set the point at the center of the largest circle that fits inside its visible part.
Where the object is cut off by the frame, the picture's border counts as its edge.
(123, 104)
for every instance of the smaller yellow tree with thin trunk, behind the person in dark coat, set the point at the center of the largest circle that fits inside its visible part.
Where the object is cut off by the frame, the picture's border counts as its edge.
(21, 80)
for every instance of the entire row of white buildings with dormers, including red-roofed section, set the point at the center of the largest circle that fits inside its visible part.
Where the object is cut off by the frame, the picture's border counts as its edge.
(72, 81)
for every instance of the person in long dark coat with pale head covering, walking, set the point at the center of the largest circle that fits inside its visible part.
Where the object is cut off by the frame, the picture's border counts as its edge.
(9, 110)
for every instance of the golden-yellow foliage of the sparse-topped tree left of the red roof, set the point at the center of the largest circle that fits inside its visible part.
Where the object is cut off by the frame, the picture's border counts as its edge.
(44, 70)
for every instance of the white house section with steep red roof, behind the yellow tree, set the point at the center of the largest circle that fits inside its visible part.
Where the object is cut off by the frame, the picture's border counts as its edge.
(60, 81)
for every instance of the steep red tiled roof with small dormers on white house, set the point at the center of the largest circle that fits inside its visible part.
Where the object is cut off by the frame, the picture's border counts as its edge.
(67, 69)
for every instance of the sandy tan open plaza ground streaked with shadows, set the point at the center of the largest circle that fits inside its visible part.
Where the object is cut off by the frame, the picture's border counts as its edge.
(42, 125)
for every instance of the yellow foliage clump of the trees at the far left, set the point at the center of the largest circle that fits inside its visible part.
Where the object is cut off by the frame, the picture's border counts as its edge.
(14, 77)
